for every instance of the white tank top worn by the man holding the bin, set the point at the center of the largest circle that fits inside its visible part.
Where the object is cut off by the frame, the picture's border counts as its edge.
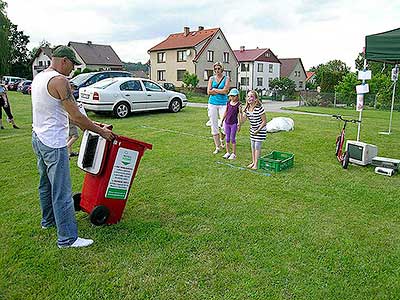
(50, 120)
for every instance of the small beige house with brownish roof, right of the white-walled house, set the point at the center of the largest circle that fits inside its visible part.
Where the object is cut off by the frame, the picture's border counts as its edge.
(293, 69)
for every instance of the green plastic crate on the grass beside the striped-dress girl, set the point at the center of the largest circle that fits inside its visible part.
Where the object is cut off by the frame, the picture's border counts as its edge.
(276, 161)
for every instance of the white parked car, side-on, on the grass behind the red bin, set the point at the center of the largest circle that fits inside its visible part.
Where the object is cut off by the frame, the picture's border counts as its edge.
(124, 95)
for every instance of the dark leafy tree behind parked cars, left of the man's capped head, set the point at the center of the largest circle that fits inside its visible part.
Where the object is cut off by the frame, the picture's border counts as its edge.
(19, 56)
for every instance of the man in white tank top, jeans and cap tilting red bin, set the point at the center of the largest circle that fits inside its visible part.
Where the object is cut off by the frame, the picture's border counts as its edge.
(52, 105)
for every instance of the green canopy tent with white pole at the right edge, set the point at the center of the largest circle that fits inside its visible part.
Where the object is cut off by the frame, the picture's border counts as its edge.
(385, 47)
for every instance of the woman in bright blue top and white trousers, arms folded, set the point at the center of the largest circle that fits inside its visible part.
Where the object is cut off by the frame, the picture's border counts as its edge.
(218, 88)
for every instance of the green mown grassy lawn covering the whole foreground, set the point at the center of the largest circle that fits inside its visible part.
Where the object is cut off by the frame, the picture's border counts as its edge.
(196, 228)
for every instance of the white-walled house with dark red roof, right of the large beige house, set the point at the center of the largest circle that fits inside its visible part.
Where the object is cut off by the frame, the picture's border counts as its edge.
(257, 67)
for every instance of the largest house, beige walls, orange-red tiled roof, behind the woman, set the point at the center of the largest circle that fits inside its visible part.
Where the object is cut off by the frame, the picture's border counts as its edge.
(194, 52)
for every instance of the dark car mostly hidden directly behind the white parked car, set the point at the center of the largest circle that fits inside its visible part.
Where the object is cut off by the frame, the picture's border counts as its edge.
(86, 79)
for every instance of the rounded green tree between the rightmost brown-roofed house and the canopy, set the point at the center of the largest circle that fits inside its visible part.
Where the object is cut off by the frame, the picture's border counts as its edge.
(328, 75)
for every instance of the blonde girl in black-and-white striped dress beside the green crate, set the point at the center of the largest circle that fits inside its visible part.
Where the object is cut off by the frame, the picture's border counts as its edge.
(254, 111)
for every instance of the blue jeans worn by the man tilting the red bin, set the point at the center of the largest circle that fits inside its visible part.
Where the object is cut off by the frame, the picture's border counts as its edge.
(55, 191)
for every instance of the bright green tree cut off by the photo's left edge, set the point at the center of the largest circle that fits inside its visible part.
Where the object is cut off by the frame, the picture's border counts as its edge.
(4, 43)
